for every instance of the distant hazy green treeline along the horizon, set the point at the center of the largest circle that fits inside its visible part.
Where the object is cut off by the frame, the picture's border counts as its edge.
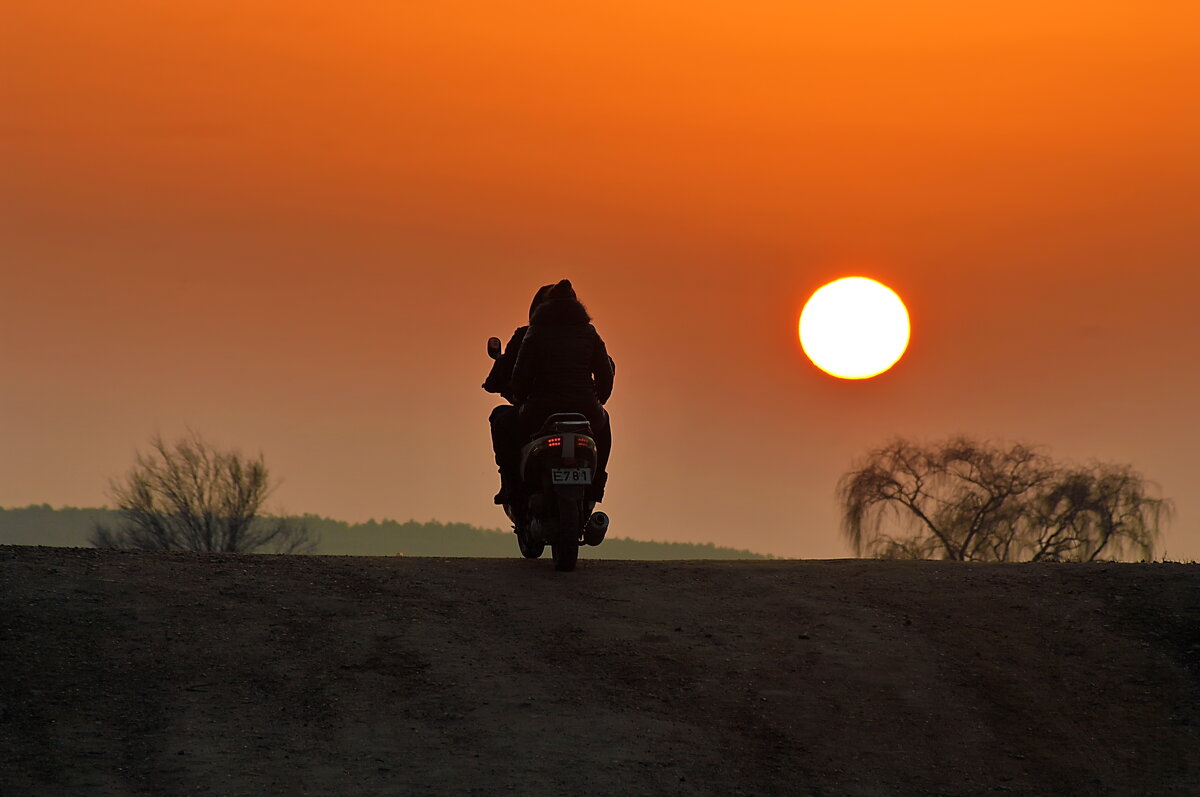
(71, 528)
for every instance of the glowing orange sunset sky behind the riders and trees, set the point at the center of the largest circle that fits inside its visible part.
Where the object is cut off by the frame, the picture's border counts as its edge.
(293, 227)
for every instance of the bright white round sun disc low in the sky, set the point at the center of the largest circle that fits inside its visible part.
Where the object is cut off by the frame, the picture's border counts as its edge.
(855, 328)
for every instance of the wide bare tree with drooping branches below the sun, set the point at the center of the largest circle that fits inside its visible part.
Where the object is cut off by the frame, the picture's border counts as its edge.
(975, 502)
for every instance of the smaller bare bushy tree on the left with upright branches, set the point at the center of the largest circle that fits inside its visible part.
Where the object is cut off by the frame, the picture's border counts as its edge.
(191, 498)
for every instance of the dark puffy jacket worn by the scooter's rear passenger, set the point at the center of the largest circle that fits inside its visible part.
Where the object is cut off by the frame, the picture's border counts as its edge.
(562, 362)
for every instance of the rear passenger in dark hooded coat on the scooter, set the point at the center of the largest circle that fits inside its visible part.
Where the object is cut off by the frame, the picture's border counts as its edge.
(563, 367)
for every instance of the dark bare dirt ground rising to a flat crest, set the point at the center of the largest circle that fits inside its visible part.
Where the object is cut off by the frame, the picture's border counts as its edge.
(175, 674)
